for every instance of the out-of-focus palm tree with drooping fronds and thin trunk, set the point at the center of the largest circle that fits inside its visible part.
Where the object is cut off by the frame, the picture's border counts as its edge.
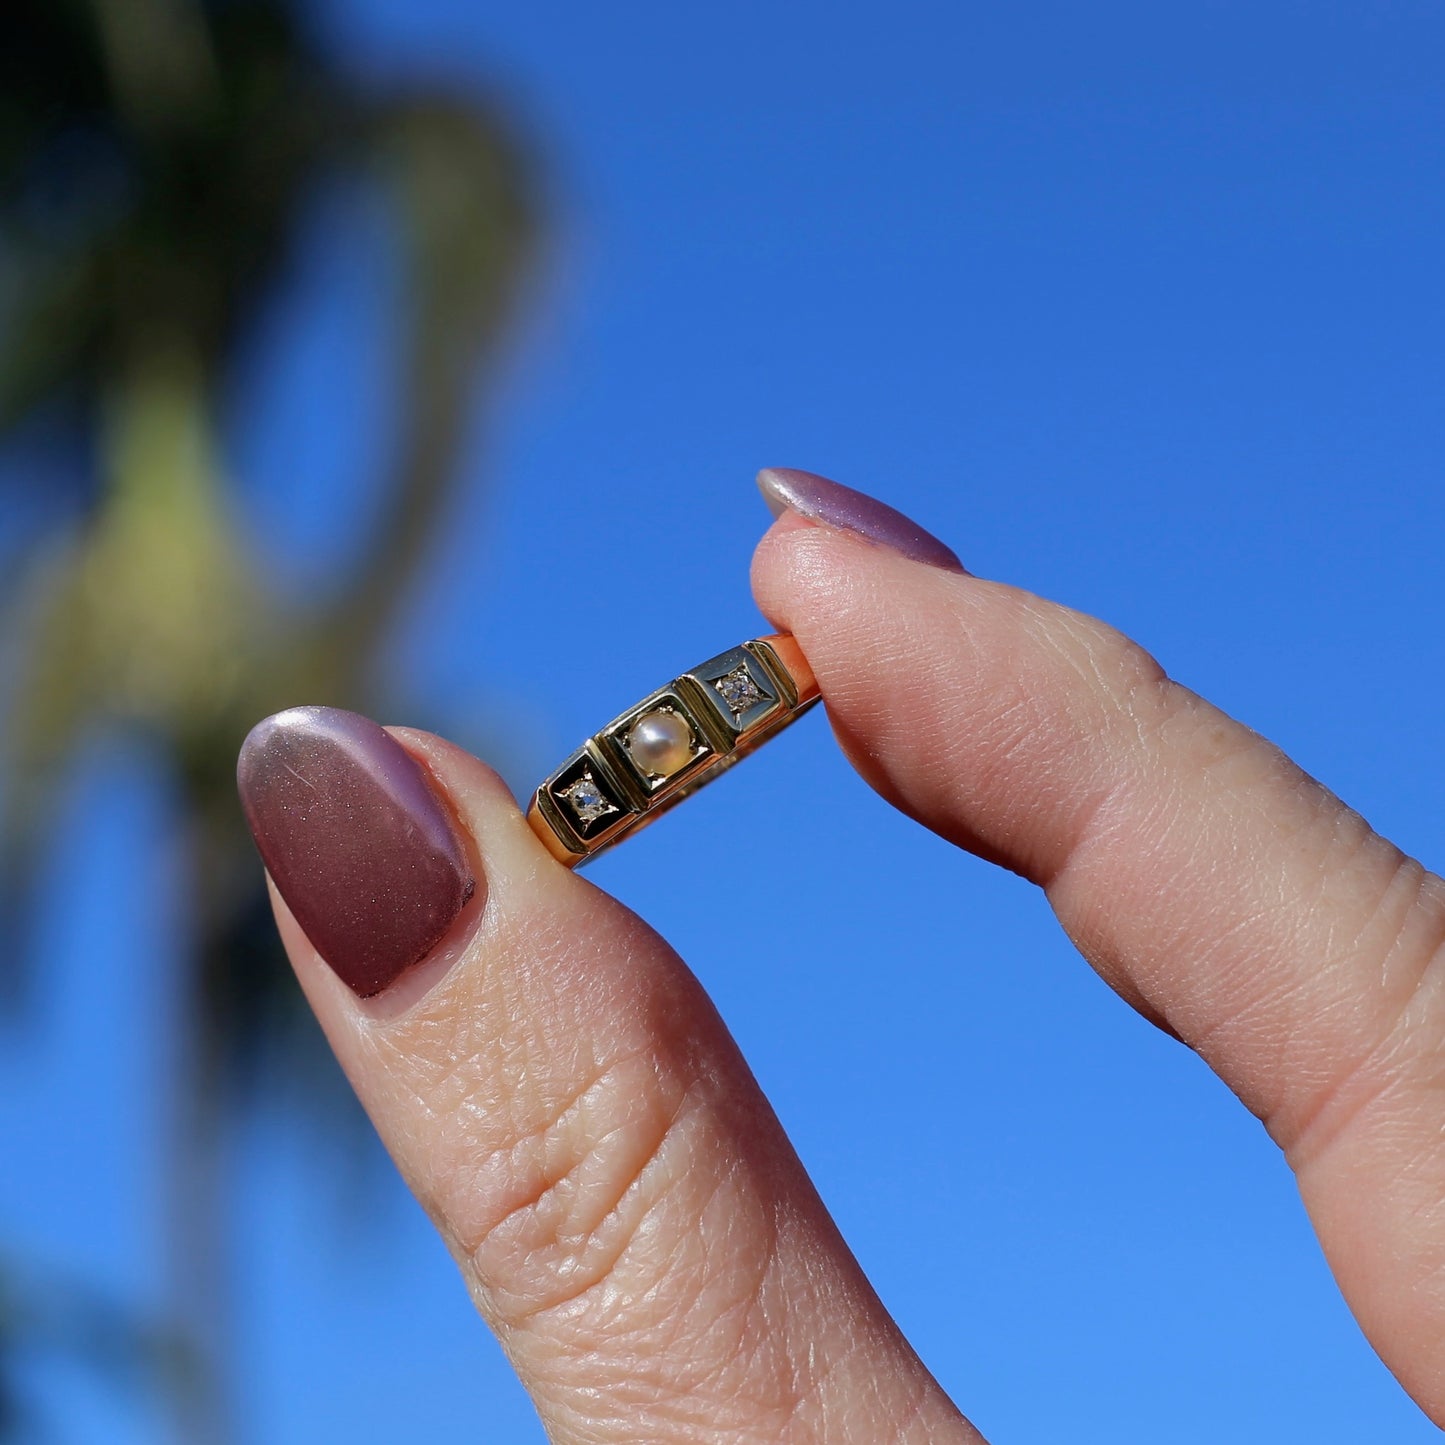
(155, 160)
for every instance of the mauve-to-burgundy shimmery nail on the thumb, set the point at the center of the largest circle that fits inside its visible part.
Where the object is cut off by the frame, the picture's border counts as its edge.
(356, 842)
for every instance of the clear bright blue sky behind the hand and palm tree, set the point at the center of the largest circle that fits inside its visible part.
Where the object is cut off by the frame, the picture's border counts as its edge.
(1135, 306)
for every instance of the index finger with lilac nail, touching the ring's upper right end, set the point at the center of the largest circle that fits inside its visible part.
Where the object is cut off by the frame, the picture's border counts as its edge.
(1209, 879)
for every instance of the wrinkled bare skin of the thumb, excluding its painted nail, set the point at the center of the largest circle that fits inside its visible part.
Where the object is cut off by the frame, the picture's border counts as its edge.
(621, 1200)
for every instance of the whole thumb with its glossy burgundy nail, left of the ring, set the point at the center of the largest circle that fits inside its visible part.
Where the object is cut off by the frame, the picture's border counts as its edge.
(570, 1109)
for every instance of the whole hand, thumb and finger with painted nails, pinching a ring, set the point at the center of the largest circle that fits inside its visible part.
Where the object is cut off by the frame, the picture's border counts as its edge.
(567, 1105)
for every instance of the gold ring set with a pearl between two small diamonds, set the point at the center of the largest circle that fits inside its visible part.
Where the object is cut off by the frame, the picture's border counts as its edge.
(670, 745)
